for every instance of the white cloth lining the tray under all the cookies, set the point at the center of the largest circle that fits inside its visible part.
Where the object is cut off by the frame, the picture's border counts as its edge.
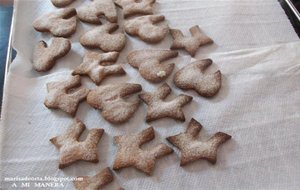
(258, 103)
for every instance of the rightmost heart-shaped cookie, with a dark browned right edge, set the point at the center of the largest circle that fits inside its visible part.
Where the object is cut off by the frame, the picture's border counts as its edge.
(193, 77)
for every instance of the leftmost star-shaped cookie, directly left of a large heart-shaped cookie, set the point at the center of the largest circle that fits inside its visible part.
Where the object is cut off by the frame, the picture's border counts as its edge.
(66, 95)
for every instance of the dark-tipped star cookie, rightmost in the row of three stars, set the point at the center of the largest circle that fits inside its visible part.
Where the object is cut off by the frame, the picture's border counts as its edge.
(193, 149)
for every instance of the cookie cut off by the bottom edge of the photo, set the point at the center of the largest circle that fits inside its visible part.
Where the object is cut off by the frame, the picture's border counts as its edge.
(96, 182)
